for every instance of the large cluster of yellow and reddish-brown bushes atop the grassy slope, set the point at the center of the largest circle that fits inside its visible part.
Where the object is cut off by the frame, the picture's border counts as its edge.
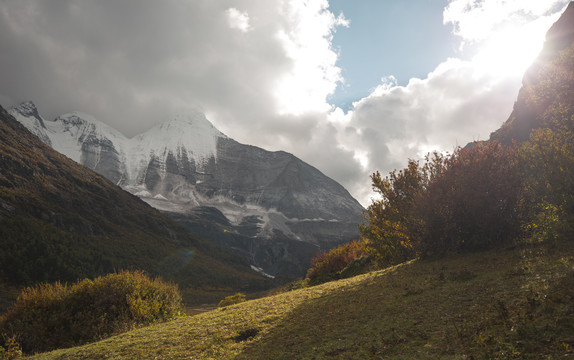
(465, 201)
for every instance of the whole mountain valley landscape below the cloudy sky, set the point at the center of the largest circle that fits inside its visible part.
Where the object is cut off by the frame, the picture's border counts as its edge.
(466, 255)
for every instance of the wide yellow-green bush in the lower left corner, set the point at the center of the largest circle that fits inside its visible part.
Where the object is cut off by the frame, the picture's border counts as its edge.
(50, 316)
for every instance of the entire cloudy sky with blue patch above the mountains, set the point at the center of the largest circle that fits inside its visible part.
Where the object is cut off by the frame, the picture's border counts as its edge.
(349, 86)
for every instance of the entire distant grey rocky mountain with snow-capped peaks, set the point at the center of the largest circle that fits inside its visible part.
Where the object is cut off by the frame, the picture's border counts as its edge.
(271, 207)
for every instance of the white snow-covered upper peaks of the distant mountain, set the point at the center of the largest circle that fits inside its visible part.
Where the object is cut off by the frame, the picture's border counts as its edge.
(187, 136)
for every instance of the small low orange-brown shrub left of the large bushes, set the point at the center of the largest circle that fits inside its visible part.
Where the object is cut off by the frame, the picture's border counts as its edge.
(343, 261)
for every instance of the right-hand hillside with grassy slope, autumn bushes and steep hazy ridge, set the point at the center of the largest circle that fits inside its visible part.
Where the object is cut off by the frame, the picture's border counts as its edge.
(487, 239)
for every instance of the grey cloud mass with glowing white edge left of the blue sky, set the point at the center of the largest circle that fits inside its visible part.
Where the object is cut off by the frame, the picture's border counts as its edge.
(130, 63)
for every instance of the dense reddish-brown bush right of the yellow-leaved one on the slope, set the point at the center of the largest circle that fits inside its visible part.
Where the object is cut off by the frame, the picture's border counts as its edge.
(474, 202)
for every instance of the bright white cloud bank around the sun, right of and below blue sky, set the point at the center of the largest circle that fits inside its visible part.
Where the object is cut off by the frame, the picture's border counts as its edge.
(460, 101)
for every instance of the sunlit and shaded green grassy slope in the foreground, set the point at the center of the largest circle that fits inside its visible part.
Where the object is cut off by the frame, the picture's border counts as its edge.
(498, 304)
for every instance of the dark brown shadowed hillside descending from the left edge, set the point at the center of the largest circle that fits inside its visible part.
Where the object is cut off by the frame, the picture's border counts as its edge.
(60, 221)
